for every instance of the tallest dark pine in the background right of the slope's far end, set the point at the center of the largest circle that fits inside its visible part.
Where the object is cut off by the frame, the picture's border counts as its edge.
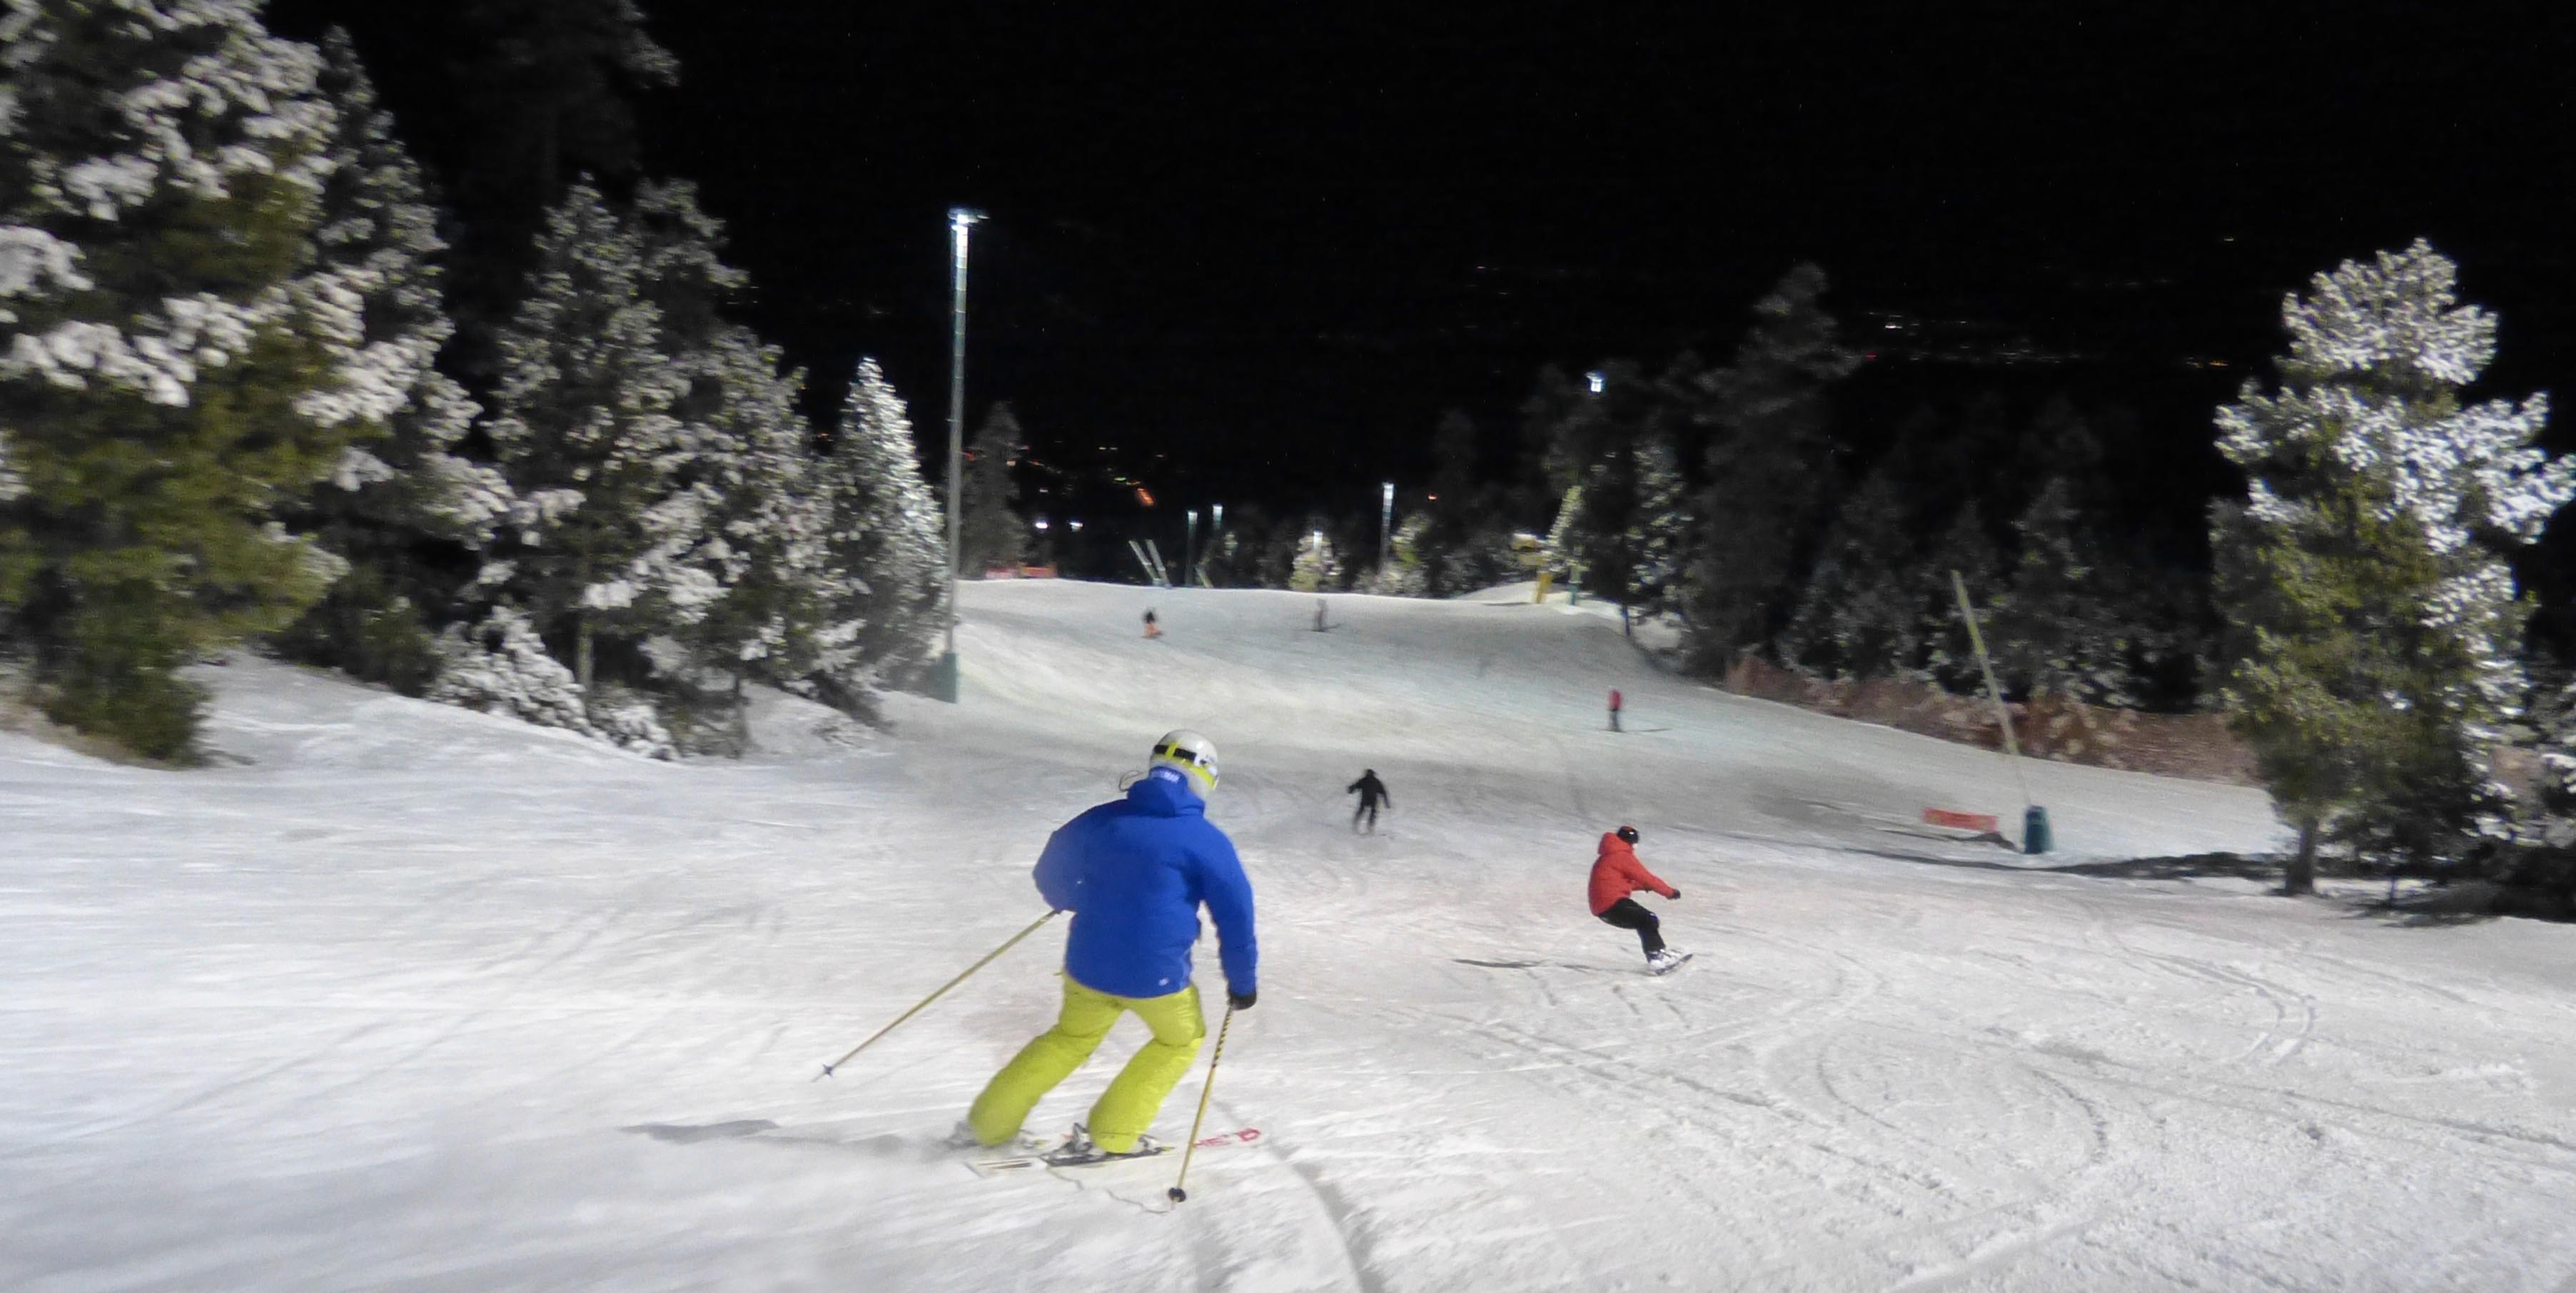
(1771, 470)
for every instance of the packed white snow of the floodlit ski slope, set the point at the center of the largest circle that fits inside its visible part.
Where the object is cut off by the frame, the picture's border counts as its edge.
(429, 1001)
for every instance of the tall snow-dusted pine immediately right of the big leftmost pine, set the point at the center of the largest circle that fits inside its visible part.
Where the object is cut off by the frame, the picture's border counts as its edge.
(406, 511)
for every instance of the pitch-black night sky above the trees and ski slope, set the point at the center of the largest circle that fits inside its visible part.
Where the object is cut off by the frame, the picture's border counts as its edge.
(1276, 243)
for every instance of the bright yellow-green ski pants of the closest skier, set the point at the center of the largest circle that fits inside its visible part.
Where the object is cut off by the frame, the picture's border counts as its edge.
(1132, 1101)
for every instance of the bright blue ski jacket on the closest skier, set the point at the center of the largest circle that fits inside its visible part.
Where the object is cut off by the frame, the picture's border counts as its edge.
(1135, 872)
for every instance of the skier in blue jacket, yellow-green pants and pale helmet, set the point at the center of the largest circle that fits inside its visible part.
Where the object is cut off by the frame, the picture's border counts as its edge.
(1135, 874)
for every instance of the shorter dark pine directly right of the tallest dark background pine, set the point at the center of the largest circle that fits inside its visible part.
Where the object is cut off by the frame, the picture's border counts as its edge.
(1861, 614)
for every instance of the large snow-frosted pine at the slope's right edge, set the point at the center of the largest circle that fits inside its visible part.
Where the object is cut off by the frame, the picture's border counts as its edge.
(2363, 576)
